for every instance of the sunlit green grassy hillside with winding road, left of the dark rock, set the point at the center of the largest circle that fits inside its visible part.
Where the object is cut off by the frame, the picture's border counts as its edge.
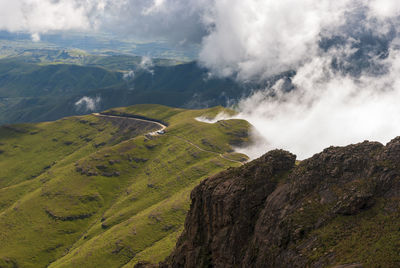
(93, 191)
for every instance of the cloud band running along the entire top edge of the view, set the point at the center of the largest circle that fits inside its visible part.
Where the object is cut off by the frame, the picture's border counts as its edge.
(239, 36)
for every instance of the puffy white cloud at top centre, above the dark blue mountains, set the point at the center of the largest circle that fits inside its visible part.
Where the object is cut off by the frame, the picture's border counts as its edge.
(263, 38)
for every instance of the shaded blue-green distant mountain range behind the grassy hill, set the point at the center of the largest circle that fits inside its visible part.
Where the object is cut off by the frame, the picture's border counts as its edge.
(41, 85)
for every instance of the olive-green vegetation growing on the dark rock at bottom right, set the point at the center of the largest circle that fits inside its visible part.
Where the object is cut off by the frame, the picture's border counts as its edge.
(371, 237)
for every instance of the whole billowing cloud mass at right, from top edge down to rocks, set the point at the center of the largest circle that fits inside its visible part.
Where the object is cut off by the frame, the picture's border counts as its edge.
(356, 100)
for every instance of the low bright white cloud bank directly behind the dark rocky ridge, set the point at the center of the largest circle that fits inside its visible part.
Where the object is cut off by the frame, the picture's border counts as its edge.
(326, 109)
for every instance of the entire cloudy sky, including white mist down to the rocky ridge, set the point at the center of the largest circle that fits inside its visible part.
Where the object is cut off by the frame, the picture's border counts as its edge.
(345, 54)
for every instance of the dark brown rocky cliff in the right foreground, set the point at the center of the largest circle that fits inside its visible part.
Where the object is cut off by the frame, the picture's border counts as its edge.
(340, 207)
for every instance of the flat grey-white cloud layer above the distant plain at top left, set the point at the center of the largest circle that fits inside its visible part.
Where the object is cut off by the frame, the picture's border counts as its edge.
(178, 21)
